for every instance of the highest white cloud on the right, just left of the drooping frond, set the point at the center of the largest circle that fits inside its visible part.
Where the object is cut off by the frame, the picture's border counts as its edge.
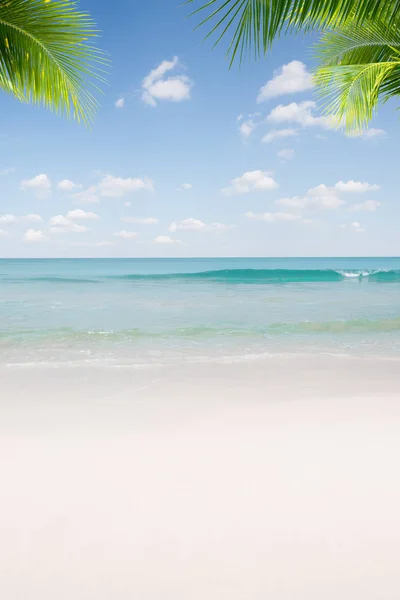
(290, 79)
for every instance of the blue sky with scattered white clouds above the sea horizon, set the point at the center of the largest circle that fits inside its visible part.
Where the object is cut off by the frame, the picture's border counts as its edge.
(264, 174)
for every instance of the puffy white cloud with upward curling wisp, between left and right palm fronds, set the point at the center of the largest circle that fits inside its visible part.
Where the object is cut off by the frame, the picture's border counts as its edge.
(156, 86)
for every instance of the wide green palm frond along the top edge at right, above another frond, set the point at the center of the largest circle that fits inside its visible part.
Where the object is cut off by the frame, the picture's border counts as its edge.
(255, 24)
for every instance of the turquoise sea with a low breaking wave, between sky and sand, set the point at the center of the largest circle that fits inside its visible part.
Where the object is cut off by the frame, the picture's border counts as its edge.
(142, 311)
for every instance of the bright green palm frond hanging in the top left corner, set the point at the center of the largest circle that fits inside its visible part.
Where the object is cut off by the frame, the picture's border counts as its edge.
(48, 56)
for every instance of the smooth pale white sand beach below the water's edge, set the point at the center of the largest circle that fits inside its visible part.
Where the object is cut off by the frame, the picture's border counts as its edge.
(275, 479)
